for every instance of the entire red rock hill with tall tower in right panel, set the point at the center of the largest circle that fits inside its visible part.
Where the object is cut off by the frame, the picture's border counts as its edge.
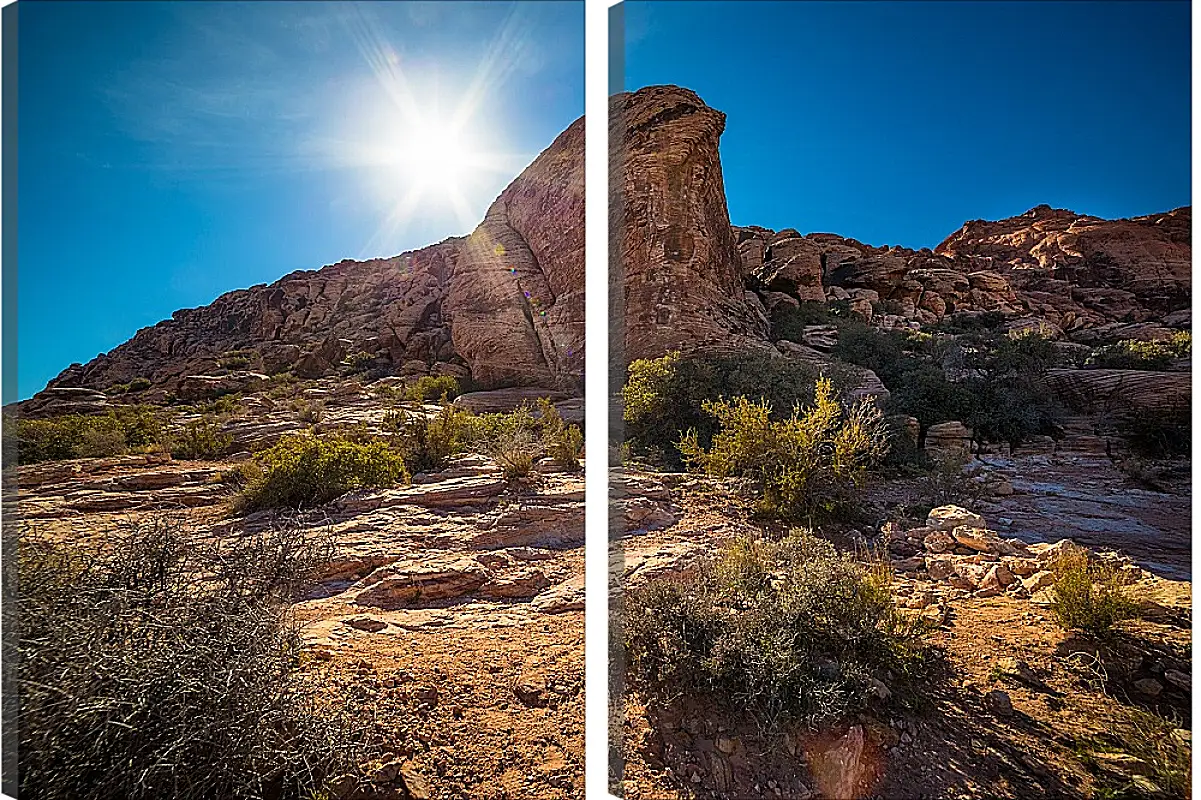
(694, 280)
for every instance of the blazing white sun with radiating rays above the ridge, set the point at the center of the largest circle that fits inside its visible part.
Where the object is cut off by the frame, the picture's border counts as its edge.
(426, 142)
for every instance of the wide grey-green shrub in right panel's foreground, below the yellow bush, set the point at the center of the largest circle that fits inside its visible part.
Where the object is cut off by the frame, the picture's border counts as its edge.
(786, 630)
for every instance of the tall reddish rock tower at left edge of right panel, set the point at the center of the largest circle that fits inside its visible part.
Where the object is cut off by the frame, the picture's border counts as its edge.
(682, 272)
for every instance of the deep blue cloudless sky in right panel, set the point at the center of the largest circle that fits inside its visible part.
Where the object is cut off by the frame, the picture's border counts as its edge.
(895, 123)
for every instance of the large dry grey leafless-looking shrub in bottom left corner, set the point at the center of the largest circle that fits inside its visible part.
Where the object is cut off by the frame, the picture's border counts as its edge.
(160, 667)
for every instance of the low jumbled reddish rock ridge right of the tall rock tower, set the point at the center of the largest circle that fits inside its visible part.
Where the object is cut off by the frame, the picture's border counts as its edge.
(1048, 268)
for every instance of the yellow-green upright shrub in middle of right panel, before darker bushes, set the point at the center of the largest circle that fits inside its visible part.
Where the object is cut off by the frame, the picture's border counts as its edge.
(810, 465)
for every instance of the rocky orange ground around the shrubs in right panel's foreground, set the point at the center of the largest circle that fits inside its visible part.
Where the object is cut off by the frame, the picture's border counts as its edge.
(1024, 709)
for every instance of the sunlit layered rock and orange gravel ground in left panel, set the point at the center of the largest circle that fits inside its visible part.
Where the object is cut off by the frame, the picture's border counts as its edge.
(453, 607)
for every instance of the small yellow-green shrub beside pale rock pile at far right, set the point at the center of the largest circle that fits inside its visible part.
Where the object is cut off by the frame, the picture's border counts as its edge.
(1088, 596)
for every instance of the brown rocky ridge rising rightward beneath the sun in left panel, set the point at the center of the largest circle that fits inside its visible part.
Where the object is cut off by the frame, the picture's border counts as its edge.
(504, 306)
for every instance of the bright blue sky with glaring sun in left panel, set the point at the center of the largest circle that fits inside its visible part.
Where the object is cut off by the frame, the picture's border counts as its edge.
(172, 152)
